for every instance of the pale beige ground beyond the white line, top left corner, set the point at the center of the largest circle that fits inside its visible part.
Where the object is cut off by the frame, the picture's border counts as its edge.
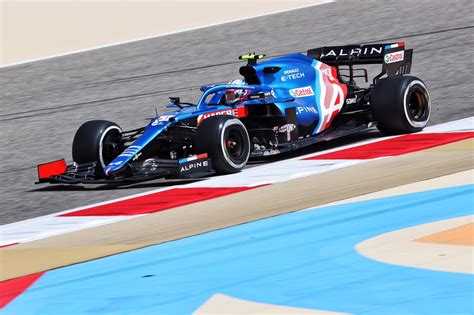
(36, 29)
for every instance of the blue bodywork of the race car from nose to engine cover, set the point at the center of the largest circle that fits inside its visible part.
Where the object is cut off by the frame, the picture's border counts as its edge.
(294, 81)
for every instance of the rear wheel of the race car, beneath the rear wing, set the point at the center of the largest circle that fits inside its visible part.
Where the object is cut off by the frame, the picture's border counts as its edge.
(401, 104)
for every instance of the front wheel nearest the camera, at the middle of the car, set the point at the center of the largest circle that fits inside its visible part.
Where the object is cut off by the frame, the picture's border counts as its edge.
(225, 139)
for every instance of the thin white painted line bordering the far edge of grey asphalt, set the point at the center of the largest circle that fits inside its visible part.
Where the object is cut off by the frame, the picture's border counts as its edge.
(318, 2)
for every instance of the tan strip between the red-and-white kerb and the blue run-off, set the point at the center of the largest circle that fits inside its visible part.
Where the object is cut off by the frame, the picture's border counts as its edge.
(235, 209)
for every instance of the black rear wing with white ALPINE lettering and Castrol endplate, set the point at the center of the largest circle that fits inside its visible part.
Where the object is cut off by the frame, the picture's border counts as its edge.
(394, 58)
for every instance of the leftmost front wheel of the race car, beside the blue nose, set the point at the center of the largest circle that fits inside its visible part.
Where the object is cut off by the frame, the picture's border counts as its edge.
(97, 141)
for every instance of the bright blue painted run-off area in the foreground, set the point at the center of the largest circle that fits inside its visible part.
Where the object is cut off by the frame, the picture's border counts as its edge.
(304, 259)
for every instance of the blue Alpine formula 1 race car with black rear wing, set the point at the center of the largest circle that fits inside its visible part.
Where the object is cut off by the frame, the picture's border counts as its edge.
(280, 105)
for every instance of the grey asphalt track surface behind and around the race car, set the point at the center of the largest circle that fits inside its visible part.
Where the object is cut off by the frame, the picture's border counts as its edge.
(43, 103)
